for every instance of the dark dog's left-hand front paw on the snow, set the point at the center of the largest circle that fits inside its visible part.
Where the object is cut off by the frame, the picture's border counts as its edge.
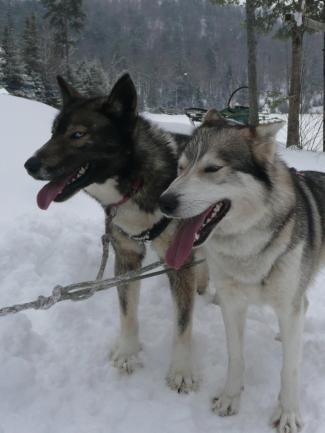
(126, 360)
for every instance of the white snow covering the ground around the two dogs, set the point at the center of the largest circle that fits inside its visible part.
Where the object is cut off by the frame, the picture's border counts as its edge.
(55, 375)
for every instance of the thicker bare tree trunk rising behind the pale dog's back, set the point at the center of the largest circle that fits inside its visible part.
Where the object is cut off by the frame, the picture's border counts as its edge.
(295, 86)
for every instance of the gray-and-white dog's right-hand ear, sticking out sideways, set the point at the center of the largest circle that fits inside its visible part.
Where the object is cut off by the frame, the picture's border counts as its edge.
(263, 141)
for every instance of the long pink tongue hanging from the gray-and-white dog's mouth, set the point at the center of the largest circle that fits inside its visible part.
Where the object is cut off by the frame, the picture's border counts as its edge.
(182, 245)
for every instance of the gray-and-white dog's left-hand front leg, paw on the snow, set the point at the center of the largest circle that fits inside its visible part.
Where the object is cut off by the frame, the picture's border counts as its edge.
(234, 309)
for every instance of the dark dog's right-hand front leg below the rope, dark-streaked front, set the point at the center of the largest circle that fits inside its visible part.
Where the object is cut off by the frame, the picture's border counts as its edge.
(180, 376)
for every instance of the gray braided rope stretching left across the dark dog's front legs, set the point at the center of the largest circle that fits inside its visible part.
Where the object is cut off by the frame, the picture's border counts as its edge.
(84, 290)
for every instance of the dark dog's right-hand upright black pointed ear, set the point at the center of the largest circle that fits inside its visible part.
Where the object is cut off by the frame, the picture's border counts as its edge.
(122, 101)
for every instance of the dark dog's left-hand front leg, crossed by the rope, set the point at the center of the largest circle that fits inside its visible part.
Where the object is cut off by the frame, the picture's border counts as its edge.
(128, 257)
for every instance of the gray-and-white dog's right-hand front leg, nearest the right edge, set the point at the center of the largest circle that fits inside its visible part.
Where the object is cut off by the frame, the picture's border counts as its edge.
(287, 416)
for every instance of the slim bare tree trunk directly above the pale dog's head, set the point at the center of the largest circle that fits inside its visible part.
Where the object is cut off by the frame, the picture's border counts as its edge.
(251, 62)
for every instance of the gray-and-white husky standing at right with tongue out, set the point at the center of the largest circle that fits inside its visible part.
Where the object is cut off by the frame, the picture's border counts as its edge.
(263, 225)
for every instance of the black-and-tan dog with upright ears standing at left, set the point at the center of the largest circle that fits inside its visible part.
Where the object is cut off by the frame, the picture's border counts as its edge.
(118, 150)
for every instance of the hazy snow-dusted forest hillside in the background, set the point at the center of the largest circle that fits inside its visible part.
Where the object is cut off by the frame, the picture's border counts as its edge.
(180, 53)
